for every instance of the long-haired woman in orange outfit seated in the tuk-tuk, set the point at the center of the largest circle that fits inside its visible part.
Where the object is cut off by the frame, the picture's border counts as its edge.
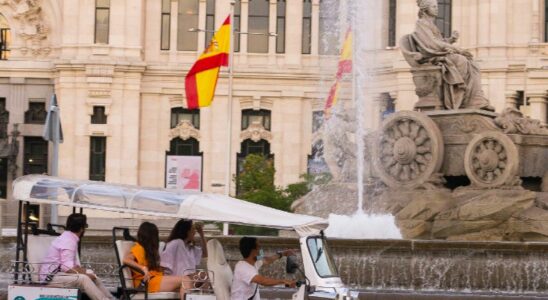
(144, 255)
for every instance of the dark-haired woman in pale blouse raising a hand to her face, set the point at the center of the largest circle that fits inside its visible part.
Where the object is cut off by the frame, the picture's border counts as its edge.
(181, 256)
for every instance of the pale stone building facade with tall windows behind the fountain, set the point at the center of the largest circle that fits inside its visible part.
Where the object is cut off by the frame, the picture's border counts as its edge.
(118, 67)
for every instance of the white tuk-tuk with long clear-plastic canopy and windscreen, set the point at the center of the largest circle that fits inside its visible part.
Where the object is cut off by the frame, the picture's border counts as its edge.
(322, 279)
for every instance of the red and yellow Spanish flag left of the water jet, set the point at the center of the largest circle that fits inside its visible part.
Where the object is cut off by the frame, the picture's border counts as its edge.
(201, 80)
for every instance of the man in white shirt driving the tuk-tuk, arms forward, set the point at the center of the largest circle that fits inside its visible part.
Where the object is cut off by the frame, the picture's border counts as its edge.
(245, 285)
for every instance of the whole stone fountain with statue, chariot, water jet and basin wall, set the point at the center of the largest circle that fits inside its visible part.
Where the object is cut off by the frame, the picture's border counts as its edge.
(452, 175)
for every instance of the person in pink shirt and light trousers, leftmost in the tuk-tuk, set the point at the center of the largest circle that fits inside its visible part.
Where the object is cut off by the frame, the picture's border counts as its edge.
(61, 266)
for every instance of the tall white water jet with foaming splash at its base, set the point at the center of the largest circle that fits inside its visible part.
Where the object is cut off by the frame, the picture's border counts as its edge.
(359, 15)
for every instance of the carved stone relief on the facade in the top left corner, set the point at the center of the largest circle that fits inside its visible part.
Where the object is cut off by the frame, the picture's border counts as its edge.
(32, 27)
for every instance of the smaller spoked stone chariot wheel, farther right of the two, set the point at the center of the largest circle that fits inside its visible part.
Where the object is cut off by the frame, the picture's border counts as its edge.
(491, 159)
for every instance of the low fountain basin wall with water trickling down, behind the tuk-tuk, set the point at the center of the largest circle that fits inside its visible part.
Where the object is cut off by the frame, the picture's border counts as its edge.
(393, 266)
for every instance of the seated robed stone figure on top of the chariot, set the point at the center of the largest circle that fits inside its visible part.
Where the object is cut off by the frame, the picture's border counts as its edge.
(461, 76)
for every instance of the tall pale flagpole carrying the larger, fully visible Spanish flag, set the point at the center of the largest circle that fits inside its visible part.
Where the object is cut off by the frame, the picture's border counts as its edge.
(229, 125)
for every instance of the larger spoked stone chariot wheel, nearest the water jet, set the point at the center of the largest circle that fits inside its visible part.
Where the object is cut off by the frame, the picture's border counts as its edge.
(408, 151)
